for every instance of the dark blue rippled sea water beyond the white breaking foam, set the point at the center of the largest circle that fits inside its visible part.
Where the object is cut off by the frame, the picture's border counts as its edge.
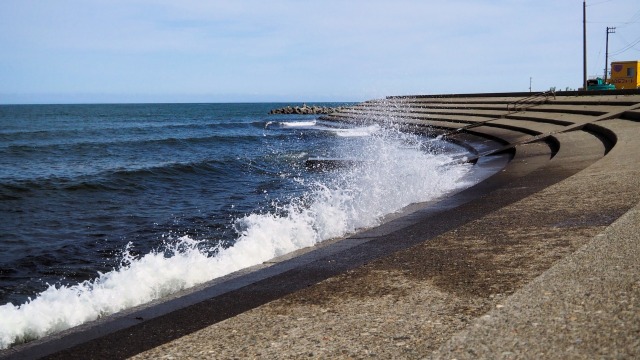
(78, 182)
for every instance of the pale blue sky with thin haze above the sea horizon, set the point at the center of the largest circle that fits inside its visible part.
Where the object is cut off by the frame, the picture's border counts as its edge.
(105, 51)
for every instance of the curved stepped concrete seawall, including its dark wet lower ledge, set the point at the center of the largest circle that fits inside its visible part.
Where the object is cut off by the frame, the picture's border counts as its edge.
(538, 261)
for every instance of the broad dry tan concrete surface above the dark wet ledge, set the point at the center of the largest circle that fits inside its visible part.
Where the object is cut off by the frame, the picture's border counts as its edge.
(543, 277)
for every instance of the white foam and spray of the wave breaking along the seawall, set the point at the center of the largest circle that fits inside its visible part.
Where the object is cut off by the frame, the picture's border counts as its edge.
(396, 173)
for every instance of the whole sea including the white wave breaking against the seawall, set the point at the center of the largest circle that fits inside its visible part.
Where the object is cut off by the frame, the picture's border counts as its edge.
(105, 207)
